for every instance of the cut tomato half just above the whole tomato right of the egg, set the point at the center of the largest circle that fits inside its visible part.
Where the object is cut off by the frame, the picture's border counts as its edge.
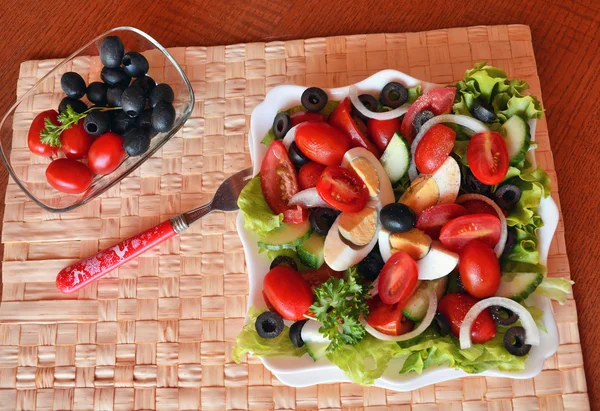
(460, 231)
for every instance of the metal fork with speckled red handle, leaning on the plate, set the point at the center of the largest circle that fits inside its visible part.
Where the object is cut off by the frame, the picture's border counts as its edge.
(80, 274)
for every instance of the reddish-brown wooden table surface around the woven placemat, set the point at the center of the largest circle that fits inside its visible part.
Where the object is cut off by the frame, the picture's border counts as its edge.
(566, 39)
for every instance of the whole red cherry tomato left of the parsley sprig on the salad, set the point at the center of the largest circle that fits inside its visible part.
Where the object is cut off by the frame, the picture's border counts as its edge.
(288, 292)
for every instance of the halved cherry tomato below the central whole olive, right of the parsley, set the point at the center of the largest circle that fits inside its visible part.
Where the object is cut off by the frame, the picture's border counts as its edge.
(398, 279)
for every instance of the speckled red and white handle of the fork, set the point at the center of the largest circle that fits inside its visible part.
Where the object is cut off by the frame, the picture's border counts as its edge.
(80, 274)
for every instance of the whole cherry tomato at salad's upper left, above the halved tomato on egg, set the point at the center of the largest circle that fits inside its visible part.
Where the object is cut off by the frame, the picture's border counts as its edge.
(321, 142)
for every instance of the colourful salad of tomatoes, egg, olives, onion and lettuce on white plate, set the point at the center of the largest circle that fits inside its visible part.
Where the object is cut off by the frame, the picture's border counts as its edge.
(401, 225)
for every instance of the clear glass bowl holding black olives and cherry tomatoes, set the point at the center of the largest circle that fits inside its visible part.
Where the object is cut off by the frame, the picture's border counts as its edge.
(28, 169)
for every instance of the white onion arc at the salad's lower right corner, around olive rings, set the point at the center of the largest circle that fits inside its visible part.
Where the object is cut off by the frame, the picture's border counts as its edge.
(532, 333)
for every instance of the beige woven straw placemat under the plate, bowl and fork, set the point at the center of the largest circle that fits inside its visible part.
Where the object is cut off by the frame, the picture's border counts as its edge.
(157, 333)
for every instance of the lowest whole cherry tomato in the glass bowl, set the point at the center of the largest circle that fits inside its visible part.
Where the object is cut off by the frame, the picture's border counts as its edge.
(69, 176)
